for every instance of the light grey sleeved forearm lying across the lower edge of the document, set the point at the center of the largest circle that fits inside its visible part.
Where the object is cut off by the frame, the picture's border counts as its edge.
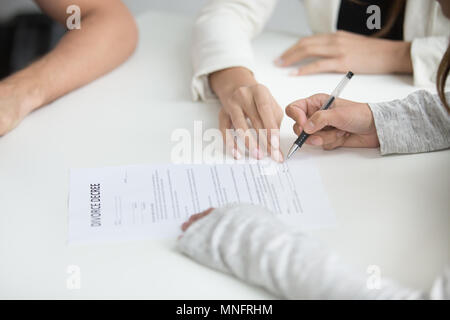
(247, 242)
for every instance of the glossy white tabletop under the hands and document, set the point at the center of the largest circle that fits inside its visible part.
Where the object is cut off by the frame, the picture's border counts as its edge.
(392, 211)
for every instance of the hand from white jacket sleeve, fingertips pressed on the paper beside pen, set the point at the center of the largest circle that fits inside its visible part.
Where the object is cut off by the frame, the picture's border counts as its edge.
(245, 99)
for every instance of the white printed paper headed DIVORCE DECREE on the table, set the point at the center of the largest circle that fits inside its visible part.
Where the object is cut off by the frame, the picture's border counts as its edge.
(152, 201)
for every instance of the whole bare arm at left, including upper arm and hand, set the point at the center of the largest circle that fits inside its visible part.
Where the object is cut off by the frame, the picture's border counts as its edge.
(107, 37)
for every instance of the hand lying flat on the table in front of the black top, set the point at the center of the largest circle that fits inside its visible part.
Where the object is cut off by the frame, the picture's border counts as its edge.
(342, 51)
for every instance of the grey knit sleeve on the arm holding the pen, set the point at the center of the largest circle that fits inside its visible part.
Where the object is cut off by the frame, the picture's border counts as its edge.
(418, 123)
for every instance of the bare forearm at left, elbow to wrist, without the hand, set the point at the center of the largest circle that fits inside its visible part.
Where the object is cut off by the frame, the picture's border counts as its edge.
(106, 38)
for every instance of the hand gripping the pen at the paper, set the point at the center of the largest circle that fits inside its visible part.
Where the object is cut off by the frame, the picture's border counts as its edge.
(345, 124)
